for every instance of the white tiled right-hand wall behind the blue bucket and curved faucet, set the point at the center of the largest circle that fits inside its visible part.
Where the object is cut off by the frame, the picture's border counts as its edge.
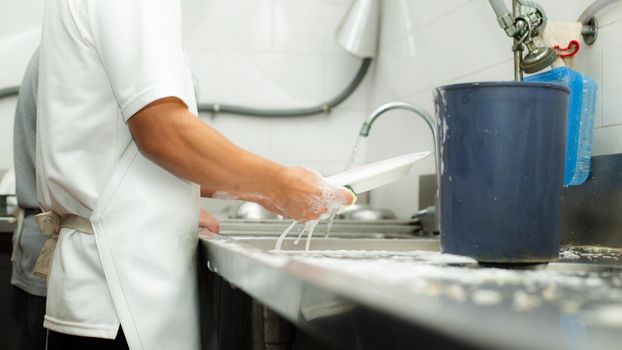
(432, 43)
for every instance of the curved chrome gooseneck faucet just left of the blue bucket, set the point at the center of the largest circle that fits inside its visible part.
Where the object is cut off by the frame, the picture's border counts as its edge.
(366, 128)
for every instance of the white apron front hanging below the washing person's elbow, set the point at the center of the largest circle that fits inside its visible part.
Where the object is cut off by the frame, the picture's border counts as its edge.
(145, 226)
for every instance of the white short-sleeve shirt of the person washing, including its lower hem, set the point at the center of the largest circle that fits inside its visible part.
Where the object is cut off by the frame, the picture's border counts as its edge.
(101, 62)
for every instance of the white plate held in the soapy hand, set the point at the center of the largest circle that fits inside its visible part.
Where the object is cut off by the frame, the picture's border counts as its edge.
(370, 176)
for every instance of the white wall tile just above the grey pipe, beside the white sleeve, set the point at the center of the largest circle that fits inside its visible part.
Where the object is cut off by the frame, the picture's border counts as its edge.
(265, 80)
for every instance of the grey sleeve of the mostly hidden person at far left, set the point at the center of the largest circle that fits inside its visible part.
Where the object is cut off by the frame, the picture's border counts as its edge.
(24, 136)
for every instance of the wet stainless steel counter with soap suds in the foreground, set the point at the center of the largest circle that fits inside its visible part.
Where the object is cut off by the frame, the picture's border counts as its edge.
(575, 303)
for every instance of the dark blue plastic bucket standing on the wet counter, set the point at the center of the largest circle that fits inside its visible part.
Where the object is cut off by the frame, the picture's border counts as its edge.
(501, 147)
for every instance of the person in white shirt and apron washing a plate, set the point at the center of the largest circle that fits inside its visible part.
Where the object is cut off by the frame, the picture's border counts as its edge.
(121, 161)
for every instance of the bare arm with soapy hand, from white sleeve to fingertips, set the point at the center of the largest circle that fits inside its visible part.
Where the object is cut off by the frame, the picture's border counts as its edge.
(180, 142)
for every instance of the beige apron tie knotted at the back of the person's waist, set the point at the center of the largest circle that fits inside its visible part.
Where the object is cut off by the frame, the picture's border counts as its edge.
(50, 225)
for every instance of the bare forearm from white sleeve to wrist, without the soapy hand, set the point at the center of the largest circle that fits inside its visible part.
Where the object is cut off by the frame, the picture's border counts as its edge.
(171, 136)
